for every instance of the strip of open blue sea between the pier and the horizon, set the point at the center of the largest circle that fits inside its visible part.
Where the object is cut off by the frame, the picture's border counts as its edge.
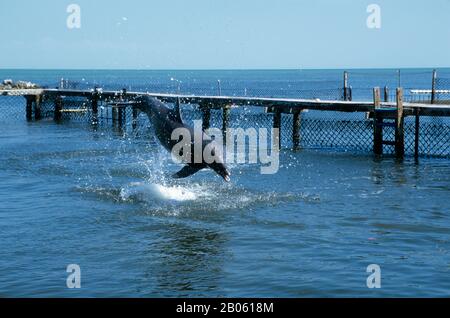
(324, 84)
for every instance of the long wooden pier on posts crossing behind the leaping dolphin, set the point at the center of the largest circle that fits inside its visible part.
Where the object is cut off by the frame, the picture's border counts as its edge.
(383, 113)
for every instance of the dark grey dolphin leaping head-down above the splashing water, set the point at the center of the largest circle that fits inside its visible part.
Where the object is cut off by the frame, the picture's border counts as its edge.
(165, 121)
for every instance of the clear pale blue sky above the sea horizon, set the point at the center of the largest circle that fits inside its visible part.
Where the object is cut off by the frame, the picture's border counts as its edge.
(224, 34)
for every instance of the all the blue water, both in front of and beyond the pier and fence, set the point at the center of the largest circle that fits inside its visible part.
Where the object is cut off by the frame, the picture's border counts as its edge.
(103, 199)
